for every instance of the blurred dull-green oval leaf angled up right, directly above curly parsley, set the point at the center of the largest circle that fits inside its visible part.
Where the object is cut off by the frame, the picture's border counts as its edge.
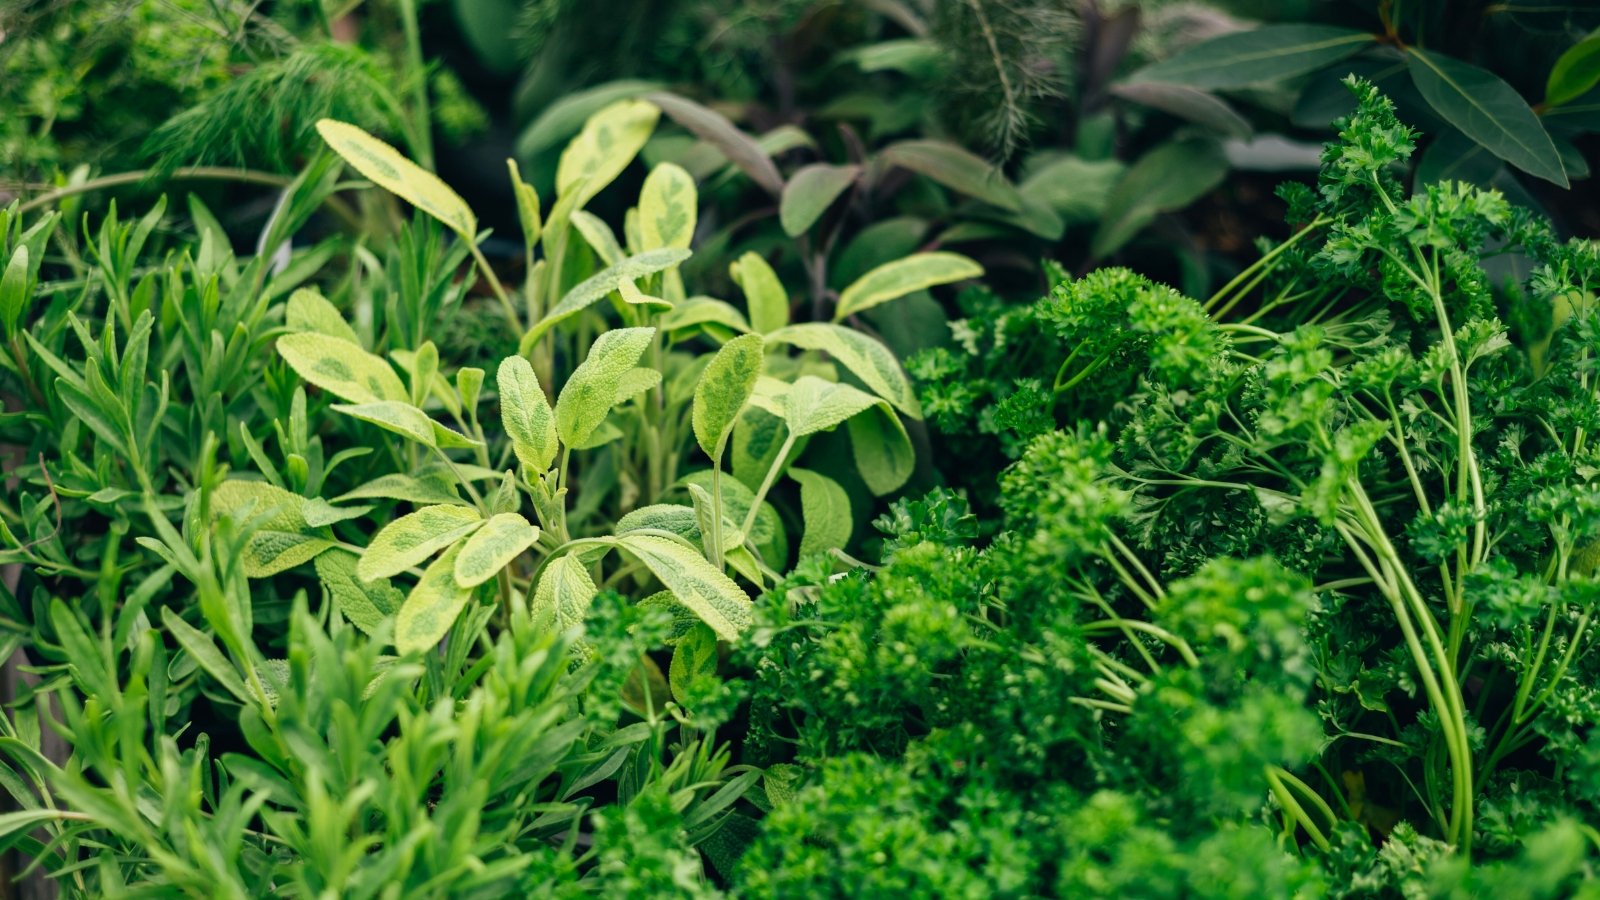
(1167, 179)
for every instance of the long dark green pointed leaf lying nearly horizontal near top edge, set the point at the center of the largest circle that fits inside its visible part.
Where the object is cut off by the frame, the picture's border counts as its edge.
(1260, 55)
